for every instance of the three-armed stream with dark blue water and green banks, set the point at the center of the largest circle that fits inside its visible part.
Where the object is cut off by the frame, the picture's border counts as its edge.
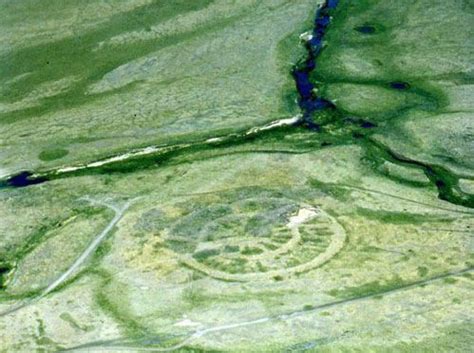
(309, 102)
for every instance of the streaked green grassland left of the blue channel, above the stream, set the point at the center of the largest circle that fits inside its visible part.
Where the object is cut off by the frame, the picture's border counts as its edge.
(156, 73)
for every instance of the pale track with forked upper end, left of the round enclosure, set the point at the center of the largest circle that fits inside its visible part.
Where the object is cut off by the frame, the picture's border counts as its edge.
(119, 212)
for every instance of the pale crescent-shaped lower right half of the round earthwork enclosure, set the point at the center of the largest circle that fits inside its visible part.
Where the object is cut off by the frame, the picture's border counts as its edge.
(309, 239)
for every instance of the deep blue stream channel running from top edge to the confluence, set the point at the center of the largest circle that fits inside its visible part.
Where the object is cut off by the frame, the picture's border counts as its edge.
(308, 101)
